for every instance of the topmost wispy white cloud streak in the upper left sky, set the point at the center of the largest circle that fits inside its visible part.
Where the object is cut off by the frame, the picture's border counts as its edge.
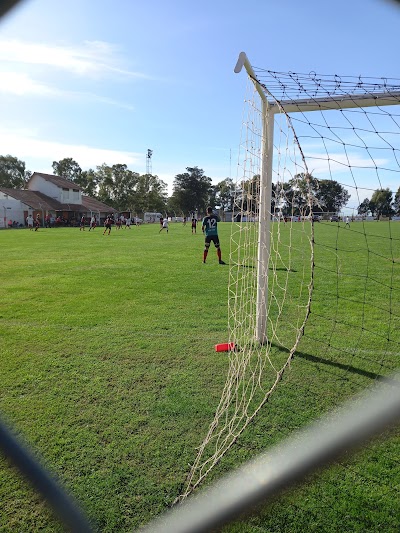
(91, 59)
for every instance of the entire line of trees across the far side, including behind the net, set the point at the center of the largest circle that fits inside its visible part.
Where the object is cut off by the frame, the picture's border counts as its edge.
(126, 190)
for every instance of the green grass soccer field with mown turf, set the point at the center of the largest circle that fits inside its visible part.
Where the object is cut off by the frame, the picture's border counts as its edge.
(108, 371)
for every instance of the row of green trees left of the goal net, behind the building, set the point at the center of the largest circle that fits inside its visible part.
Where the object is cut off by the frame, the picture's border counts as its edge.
(126, 190)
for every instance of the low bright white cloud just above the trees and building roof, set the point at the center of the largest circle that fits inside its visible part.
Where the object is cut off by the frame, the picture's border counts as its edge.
(35, 151)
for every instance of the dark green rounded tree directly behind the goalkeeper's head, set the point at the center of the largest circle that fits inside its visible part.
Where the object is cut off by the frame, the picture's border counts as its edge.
(192, 190)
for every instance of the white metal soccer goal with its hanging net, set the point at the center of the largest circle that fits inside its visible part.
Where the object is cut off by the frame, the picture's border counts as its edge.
(314, 270)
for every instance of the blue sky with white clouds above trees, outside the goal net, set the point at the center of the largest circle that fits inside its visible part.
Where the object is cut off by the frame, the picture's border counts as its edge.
(102, 81)
